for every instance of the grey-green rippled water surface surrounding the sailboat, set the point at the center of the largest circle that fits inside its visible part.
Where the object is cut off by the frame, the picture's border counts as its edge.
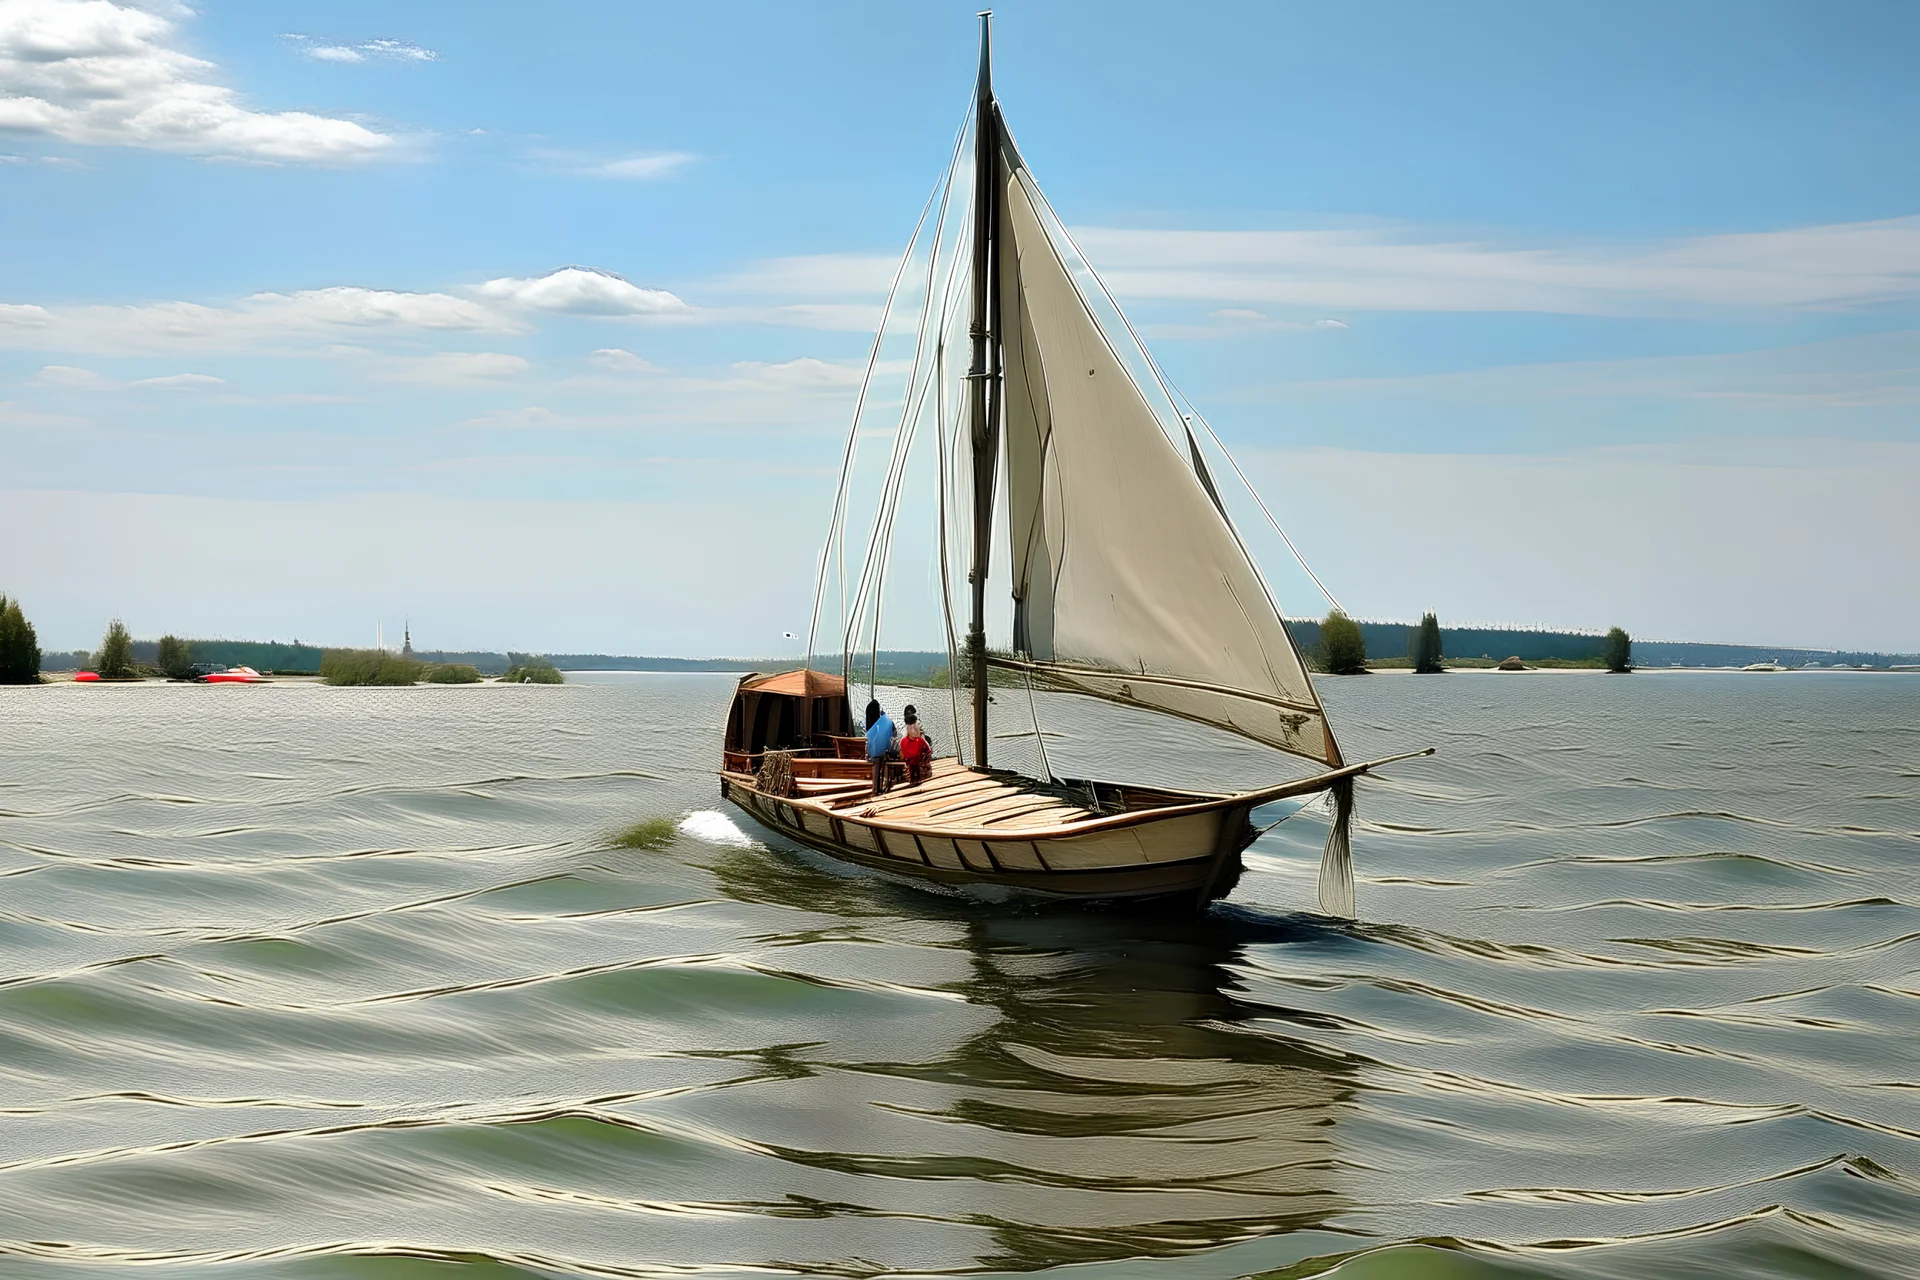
(306, 982)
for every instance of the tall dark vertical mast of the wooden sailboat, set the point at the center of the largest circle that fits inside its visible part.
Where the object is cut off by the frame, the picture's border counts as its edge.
(984, 402)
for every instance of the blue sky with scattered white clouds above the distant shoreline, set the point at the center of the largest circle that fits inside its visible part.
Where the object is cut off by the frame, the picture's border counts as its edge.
(1524, 314)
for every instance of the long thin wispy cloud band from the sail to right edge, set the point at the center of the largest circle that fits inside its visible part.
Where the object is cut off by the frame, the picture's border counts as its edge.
(1412, 270)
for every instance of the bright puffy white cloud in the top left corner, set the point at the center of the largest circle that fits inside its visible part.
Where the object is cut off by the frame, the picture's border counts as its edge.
(105, 74)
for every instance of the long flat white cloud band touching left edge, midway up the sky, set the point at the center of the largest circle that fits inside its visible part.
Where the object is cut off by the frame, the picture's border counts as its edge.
(254, 323)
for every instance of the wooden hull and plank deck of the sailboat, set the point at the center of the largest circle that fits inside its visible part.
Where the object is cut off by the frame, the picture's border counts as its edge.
(971, 830)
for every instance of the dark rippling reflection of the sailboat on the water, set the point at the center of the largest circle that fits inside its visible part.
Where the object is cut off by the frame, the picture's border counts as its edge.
(1118, 1099)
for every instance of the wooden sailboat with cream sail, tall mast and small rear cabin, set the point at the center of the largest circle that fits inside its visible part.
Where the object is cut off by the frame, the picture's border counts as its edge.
(1128, 584)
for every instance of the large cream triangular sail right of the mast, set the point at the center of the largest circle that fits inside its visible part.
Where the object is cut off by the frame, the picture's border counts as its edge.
(1128, 581)
